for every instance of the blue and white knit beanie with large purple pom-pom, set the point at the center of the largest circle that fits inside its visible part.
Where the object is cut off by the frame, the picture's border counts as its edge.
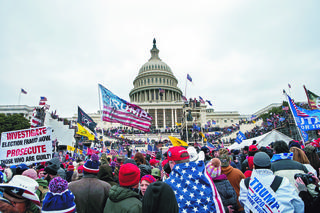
(59, 198)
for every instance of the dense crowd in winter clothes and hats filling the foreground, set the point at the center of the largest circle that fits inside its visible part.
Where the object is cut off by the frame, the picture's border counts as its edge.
(279, 178)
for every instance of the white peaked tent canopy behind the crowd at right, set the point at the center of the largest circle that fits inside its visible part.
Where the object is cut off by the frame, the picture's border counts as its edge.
(262, 140)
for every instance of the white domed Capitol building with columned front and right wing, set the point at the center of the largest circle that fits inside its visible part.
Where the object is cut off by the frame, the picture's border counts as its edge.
(155, 89)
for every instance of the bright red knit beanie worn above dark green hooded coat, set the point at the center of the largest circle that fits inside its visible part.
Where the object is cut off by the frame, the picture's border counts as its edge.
(129, 175)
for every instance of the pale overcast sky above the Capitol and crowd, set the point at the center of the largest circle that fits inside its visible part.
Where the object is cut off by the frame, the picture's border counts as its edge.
(240, 54)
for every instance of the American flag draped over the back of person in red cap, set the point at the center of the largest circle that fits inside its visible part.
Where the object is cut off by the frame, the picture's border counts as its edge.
(194, 189)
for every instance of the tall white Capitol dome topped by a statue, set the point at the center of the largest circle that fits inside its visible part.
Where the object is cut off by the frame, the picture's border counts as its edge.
(155, 82)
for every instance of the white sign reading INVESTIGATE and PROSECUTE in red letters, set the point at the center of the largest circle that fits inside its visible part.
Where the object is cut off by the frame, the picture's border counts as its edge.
(26, 146)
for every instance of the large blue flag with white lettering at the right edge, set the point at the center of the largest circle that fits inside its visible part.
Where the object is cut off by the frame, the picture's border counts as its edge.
(306, 119)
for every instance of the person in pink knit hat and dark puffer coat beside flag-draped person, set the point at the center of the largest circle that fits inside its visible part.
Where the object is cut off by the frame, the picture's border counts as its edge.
(225, 189)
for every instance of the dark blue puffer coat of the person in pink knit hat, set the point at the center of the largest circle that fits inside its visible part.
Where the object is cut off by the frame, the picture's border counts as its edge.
(227, 193)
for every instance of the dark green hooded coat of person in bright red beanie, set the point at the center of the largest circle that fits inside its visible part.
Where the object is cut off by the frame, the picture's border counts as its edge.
(123, 200)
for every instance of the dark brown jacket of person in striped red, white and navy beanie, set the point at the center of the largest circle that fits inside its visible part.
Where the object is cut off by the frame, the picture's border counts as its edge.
(90, 193)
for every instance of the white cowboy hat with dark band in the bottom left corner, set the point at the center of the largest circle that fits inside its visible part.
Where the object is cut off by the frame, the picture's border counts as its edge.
(24, 187)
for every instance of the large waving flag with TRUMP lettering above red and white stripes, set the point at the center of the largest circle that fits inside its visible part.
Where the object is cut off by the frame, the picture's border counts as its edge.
(118, 110)
